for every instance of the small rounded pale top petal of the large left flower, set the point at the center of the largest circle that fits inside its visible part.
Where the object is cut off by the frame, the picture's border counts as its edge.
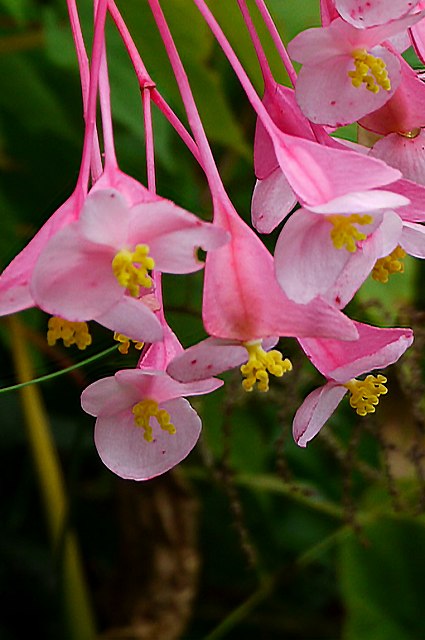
(105, 218)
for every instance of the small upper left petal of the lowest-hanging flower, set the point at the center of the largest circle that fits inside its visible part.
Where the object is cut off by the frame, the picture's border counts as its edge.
(108, 397)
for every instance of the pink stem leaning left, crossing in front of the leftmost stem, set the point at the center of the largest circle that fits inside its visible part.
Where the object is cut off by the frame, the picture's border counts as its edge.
(98, 39)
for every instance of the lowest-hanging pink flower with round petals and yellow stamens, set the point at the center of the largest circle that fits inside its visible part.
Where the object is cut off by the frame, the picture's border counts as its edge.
(144, 425)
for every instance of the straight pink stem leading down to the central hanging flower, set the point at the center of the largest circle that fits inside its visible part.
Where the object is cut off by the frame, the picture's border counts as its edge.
(207, 159)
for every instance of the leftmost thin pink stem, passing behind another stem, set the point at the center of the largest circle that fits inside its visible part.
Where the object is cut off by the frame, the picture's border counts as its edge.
(83, 64)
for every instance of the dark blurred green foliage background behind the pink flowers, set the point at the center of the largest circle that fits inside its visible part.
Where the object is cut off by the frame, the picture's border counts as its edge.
(251, 536)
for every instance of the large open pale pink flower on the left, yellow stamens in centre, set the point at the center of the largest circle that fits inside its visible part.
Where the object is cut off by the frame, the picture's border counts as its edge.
(98, 267)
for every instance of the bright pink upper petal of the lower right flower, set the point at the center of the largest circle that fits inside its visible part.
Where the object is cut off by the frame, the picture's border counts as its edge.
(375, 348)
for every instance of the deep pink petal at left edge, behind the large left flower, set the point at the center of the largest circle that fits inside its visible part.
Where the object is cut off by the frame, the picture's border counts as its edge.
(14, 281)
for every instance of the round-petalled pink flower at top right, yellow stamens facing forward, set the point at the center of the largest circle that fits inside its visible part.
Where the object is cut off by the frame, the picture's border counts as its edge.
(346, 73)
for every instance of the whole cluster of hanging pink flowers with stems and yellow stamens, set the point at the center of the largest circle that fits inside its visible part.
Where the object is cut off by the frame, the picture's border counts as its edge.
(349, 211)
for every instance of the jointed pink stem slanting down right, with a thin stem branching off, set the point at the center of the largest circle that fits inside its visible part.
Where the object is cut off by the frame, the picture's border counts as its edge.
(145, 80)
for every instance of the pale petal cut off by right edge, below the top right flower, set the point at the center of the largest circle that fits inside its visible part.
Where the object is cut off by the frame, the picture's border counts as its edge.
(405, 154)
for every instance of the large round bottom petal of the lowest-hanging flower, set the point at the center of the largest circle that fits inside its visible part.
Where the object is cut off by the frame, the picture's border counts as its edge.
(123, 449)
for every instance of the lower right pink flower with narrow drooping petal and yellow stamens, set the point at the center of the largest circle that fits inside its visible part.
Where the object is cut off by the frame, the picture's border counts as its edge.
(375, 349)
